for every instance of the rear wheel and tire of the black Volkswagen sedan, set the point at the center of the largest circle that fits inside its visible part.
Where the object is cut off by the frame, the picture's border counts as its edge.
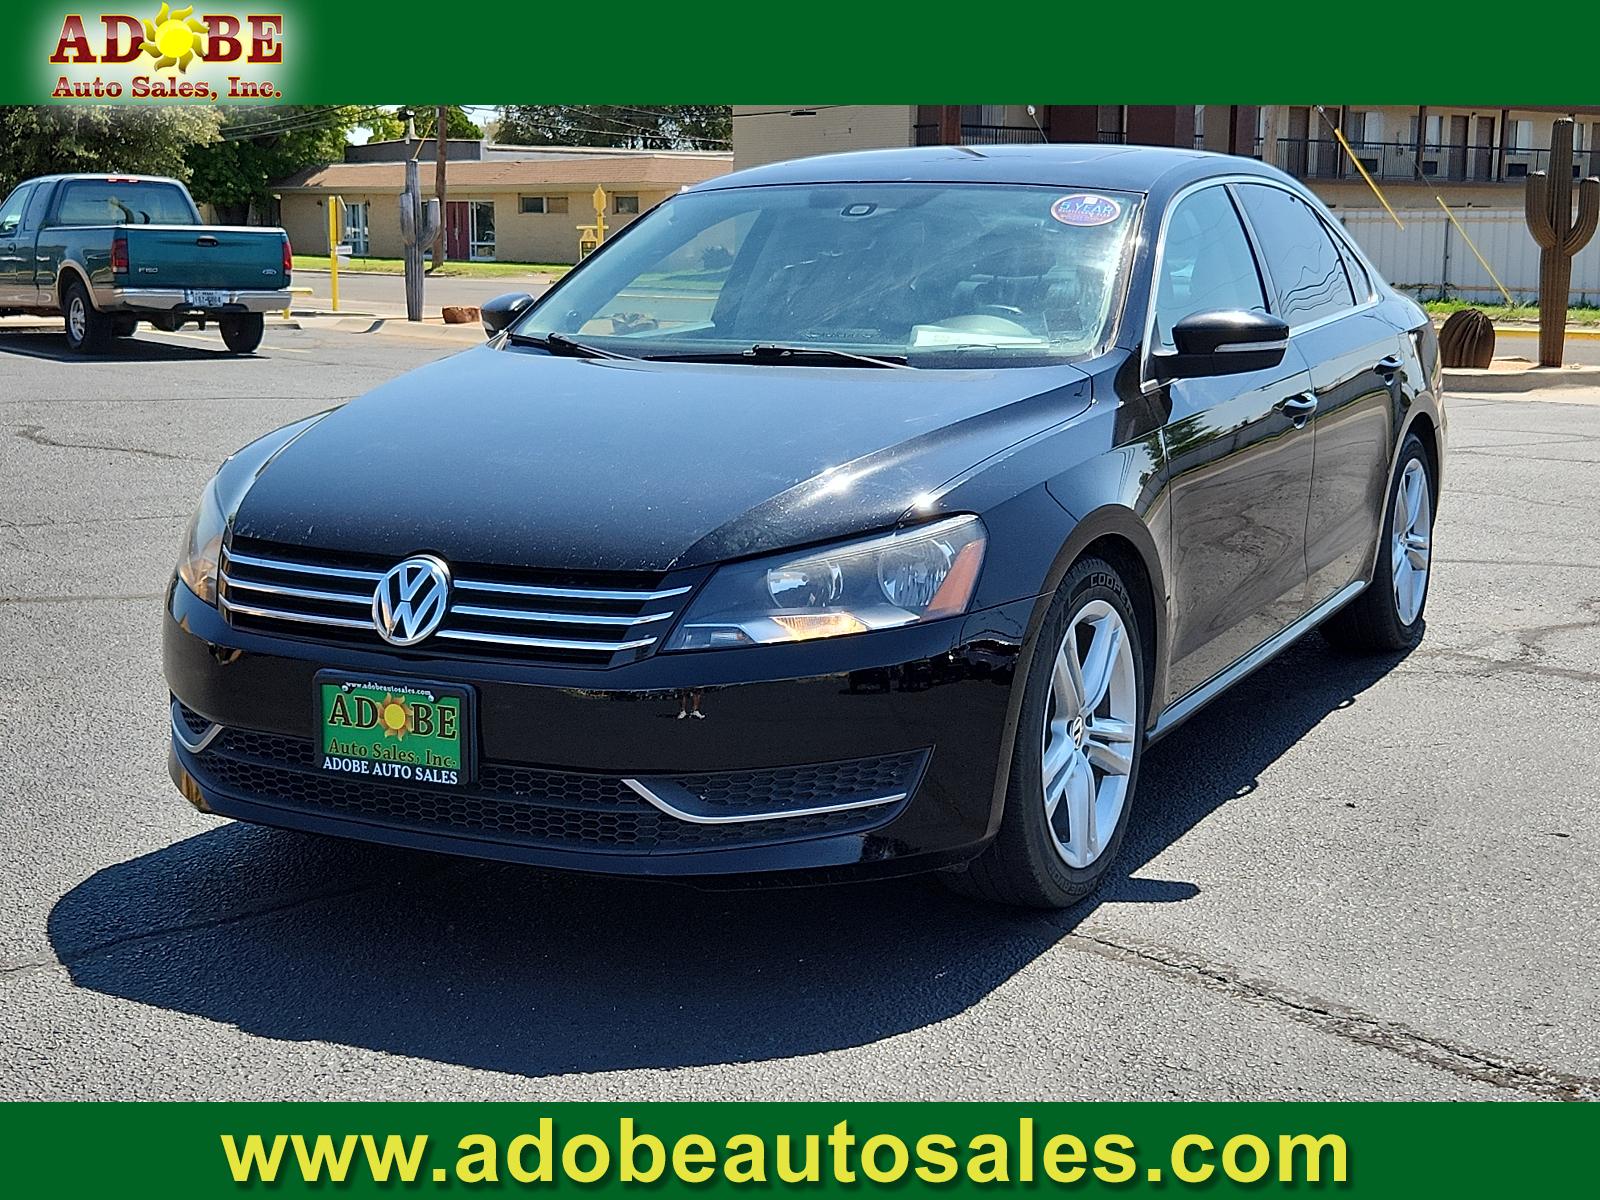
(1390, 615)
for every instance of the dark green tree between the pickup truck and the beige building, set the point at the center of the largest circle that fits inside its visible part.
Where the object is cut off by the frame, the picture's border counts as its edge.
(260, 146)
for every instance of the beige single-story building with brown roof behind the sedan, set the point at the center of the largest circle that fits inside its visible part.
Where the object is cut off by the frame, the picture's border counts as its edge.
(508, 210)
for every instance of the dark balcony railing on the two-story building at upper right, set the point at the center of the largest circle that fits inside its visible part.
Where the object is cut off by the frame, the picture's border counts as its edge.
(1401, 162)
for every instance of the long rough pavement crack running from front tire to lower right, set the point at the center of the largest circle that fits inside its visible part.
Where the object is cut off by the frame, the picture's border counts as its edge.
(1342, 1022)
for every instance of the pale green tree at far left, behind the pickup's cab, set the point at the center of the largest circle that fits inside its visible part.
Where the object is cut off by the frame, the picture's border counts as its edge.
(42, 140)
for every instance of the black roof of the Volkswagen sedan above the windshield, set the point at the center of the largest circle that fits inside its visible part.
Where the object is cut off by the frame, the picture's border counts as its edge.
(1129, 169)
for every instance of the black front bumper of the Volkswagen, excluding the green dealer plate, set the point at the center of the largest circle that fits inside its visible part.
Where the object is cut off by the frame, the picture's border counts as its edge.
(881, 753)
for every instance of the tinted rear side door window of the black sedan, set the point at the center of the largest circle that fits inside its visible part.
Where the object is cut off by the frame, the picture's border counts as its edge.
(1303, 263)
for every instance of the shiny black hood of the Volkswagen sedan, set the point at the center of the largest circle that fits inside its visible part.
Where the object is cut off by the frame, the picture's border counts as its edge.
(527, 460)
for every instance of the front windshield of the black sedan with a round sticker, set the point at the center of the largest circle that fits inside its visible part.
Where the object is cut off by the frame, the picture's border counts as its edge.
(930, 274)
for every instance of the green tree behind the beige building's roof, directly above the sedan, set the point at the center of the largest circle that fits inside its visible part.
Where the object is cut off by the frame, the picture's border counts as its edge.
(649, 127)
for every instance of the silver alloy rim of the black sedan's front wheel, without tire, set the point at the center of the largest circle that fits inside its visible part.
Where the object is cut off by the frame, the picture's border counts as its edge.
(1090, 727)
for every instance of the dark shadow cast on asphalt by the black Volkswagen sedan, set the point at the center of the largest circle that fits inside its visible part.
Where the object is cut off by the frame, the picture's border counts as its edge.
(516, 970)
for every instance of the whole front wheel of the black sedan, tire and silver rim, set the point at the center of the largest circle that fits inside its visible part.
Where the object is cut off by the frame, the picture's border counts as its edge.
(1076, 759)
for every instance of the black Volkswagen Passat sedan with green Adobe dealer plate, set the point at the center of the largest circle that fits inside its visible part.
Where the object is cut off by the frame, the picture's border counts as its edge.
(860, 514)
